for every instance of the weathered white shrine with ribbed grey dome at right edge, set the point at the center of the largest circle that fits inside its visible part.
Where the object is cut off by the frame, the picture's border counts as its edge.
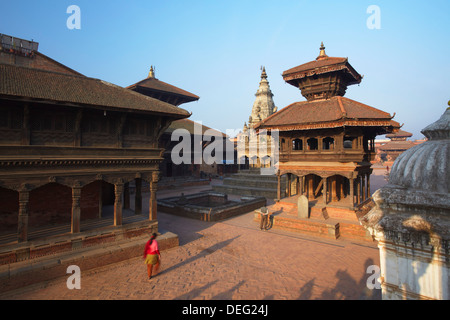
(411, 219)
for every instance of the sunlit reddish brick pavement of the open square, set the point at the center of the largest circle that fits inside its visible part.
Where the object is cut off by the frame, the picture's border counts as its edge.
(228, 260)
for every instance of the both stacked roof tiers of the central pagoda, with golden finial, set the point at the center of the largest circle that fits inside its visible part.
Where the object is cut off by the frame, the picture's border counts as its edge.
(323, 83)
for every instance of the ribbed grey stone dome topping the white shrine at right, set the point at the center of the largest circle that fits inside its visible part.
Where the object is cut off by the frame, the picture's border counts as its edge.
(426, 166)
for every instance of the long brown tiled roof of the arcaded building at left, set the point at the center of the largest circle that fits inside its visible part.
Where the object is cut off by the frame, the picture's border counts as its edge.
(34, 84)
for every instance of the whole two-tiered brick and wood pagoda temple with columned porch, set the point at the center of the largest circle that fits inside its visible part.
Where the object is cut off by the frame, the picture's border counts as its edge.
(326, 145)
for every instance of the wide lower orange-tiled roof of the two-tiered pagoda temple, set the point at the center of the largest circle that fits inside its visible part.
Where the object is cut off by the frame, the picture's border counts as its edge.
(334, 112)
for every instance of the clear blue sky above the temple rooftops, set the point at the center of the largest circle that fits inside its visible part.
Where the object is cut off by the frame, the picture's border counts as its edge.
(215, 49)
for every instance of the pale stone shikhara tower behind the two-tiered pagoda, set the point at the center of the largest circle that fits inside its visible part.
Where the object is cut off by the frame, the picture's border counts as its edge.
(263, 107)
